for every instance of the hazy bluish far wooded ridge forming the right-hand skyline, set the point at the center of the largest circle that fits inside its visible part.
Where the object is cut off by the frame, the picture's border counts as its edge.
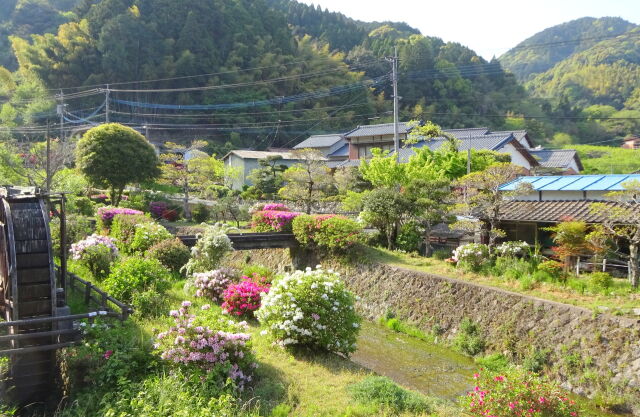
(545, 49)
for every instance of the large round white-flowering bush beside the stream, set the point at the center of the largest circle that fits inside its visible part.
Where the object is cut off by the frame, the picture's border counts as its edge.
(312, 309)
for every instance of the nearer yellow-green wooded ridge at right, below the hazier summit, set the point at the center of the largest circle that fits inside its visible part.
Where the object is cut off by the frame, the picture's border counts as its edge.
(606, 73)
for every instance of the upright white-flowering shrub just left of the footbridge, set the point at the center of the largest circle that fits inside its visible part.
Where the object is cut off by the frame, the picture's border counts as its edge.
(210, 248)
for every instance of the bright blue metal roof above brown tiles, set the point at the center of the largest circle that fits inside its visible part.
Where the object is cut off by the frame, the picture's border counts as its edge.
(574, 182)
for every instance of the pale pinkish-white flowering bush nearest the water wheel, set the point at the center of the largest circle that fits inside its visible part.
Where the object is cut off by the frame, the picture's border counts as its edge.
(97, 253)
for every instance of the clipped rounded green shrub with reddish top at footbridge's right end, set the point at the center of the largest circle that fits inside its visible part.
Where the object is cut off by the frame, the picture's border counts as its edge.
(326, 231)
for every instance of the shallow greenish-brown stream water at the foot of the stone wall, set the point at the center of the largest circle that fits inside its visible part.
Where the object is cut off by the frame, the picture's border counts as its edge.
(431, 369)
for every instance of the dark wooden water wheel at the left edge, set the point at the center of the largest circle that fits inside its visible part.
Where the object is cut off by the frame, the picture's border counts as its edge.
(27, 291)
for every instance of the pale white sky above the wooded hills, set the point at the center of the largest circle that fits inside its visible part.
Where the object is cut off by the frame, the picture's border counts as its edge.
(489, 27)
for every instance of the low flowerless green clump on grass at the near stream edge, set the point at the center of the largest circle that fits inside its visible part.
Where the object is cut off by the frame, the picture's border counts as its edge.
(383, 392)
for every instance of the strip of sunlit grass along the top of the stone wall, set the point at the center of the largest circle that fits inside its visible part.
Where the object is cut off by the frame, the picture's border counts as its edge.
(621, 299)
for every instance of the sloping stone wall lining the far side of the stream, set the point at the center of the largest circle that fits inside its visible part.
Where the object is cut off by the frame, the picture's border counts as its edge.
(597, 355)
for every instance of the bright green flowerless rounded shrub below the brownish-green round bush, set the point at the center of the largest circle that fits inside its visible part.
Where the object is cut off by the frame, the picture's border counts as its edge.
(137, 275)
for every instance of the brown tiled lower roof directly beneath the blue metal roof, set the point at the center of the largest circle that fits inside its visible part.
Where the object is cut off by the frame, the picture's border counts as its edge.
(553, 211)
